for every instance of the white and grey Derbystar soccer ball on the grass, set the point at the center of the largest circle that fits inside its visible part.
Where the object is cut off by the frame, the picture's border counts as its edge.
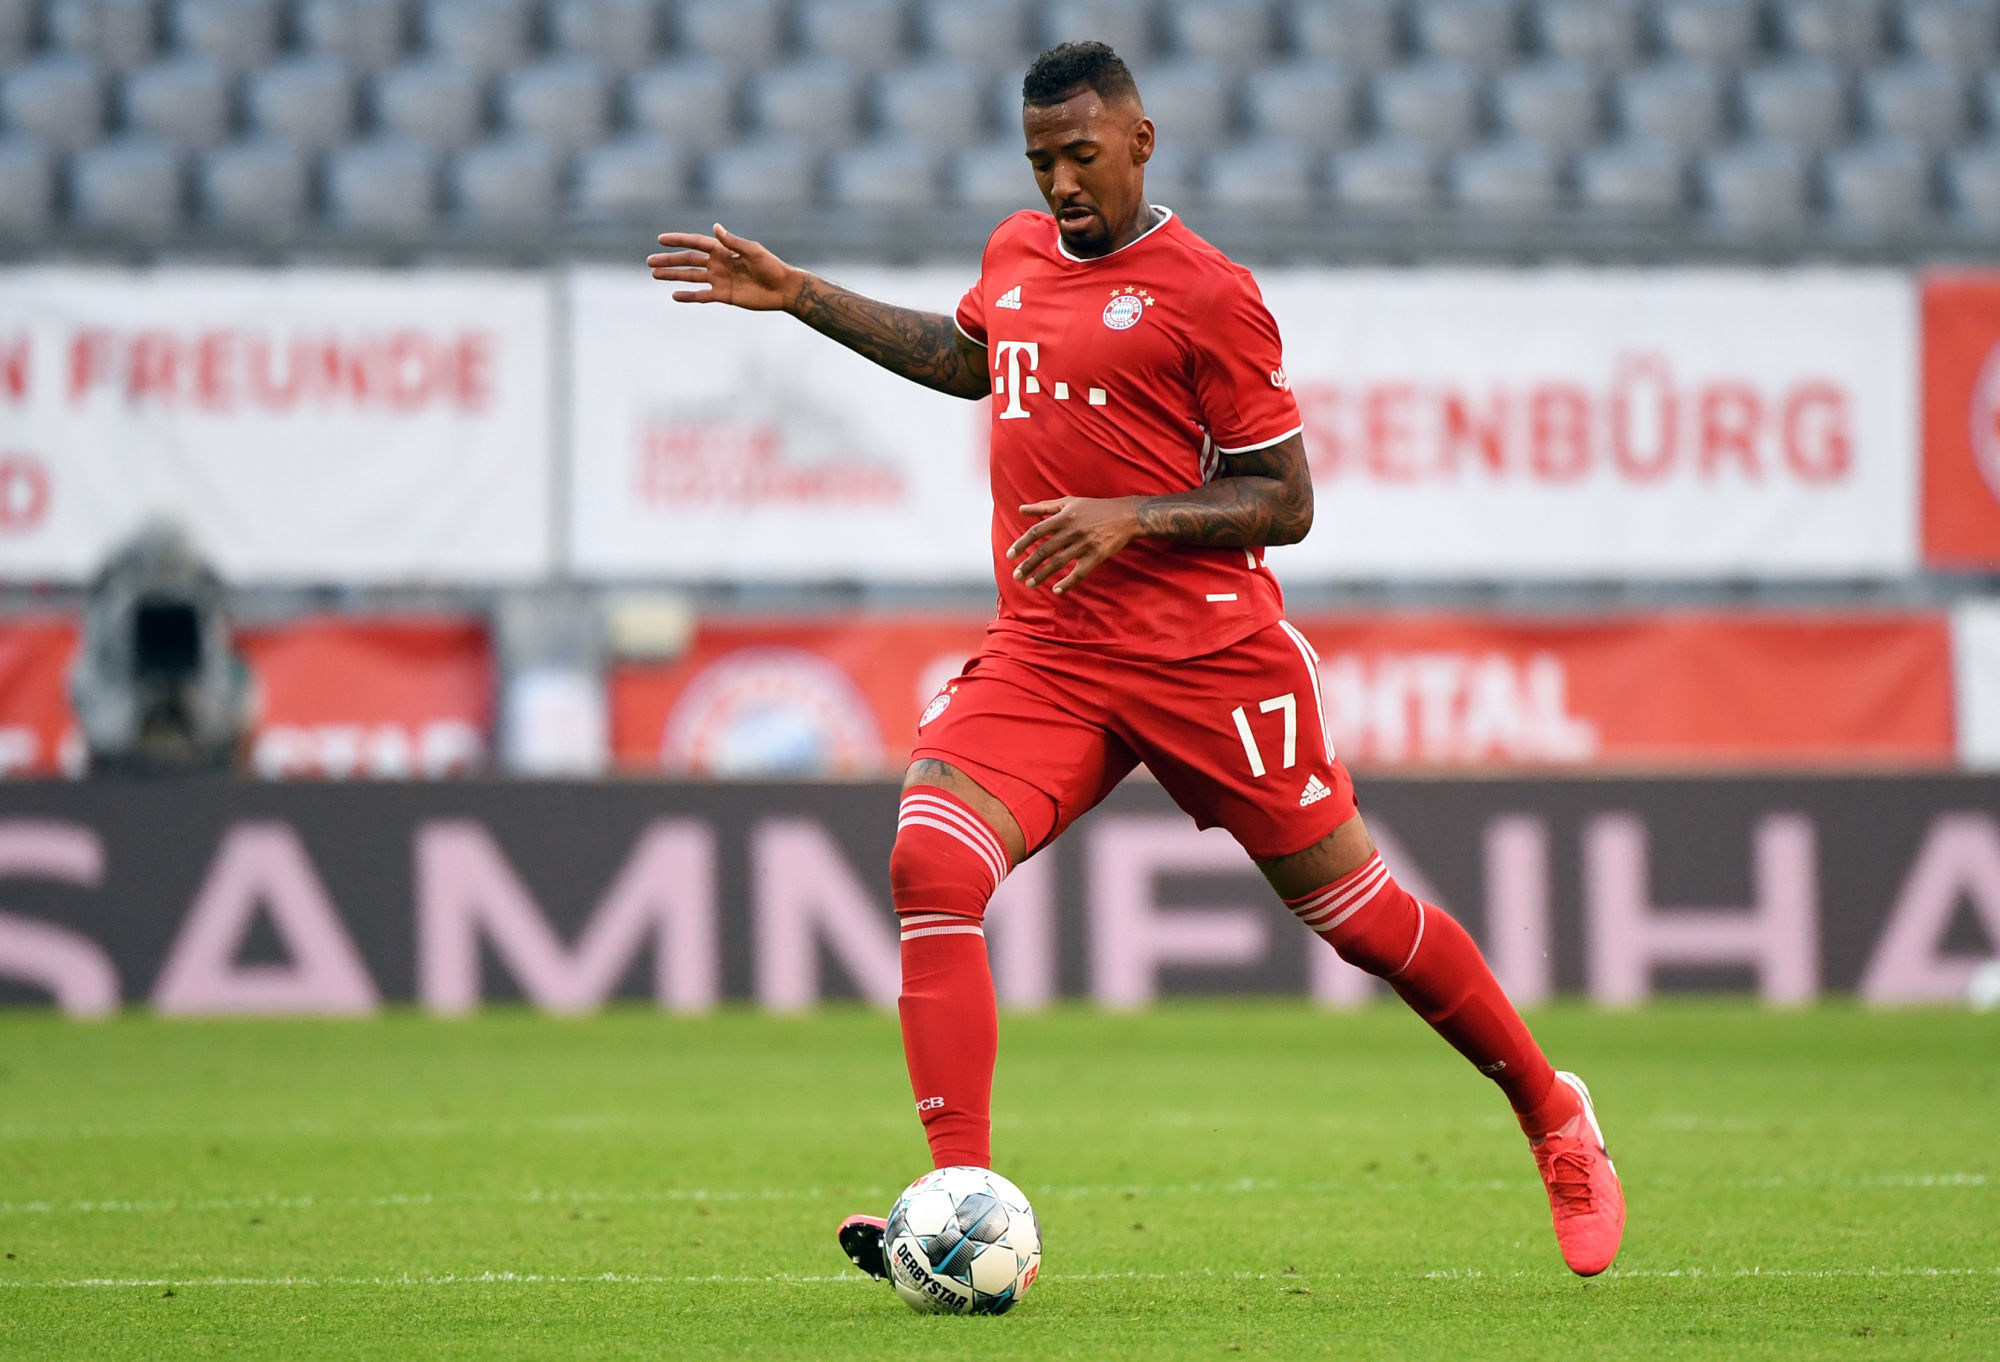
(963, 1241)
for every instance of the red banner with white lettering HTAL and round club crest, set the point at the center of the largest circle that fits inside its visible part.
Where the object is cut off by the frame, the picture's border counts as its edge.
(1661, 691)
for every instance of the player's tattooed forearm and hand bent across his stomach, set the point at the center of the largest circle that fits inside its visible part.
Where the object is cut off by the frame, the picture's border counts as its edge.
(1263, 497)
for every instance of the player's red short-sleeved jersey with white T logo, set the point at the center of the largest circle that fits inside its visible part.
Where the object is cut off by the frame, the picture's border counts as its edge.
(1127, 375)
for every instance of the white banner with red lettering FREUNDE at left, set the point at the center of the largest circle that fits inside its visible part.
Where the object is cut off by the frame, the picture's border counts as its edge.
(303, 425)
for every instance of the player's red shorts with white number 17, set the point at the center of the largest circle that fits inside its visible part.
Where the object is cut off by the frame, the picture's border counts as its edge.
(1237, 737)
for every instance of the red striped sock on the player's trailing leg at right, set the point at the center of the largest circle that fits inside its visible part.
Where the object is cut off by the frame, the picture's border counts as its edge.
(1439, 971)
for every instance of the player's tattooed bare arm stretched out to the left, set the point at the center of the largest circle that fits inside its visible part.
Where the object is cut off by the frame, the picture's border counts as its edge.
(923, 347)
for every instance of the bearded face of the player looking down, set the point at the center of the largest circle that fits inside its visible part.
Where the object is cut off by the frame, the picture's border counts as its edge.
(1091, 165)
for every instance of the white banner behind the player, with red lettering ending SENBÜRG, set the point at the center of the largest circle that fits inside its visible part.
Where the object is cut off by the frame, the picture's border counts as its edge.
(1461, 425)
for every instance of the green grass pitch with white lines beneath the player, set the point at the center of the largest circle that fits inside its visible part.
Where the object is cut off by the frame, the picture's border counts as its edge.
(1213, 1181)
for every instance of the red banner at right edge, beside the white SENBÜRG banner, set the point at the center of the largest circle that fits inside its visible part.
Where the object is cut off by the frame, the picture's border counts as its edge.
(1963, 421)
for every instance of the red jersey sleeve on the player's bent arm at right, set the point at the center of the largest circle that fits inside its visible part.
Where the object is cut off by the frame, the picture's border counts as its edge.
(1241, 391)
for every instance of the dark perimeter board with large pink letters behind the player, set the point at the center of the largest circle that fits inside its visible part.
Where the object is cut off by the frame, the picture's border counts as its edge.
(333, 899)
